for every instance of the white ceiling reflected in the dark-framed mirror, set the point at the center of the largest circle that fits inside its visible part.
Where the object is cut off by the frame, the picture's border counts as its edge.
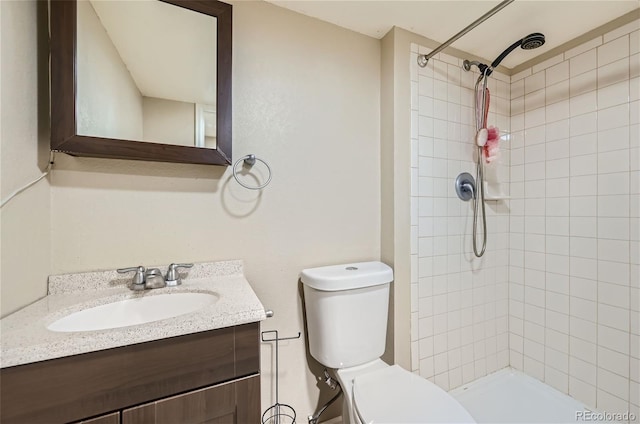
(169, 51)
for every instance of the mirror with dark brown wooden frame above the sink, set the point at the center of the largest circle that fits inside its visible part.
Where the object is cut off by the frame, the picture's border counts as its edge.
(76, 72)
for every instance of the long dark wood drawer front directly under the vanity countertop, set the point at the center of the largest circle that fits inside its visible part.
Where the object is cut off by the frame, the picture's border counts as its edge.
(73, 388)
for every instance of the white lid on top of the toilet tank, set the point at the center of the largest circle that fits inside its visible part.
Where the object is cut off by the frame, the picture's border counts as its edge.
(347, 276)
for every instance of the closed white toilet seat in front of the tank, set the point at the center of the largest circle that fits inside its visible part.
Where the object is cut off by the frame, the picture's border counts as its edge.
(414, 399)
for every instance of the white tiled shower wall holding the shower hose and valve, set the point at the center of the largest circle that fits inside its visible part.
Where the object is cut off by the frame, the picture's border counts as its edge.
(459, 326)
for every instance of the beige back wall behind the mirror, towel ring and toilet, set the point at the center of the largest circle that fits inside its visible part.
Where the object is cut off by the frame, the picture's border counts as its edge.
(306, 100)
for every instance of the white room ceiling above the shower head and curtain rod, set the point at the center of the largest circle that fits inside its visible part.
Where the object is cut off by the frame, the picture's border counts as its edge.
(439, 20)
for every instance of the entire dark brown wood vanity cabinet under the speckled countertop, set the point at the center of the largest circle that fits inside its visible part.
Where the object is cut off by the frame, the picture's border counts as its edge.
(211, 376)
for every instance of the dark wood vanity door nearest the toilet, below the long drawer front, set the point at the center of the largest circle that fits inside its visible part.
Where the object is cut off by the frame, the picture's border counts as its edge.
(236, 402)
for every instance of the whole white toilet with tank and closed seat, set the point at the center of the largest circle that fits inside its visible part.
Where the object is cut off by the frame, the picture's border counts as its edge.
(346, 308)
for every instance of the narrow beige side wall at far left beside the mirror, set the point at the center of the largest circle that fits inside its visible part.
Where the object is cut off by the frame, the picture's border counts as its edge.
(24, 134)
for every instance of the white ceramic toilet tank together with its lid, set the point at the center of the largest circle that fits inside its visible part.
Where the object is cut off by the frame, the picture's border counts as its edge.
(346, 308)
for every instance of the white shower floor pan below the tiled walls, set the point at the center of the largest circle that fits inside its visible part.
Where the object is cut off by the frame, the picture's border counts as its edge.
(510, 396)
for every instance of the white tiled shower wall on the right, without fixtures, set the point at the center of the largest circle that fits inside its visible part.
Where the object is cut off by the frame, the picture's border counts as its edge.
(574, 291)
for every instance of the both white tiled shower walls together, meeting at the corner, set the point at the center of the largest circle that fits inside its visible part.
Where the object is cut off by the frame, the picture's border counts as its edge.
(569, 237)
